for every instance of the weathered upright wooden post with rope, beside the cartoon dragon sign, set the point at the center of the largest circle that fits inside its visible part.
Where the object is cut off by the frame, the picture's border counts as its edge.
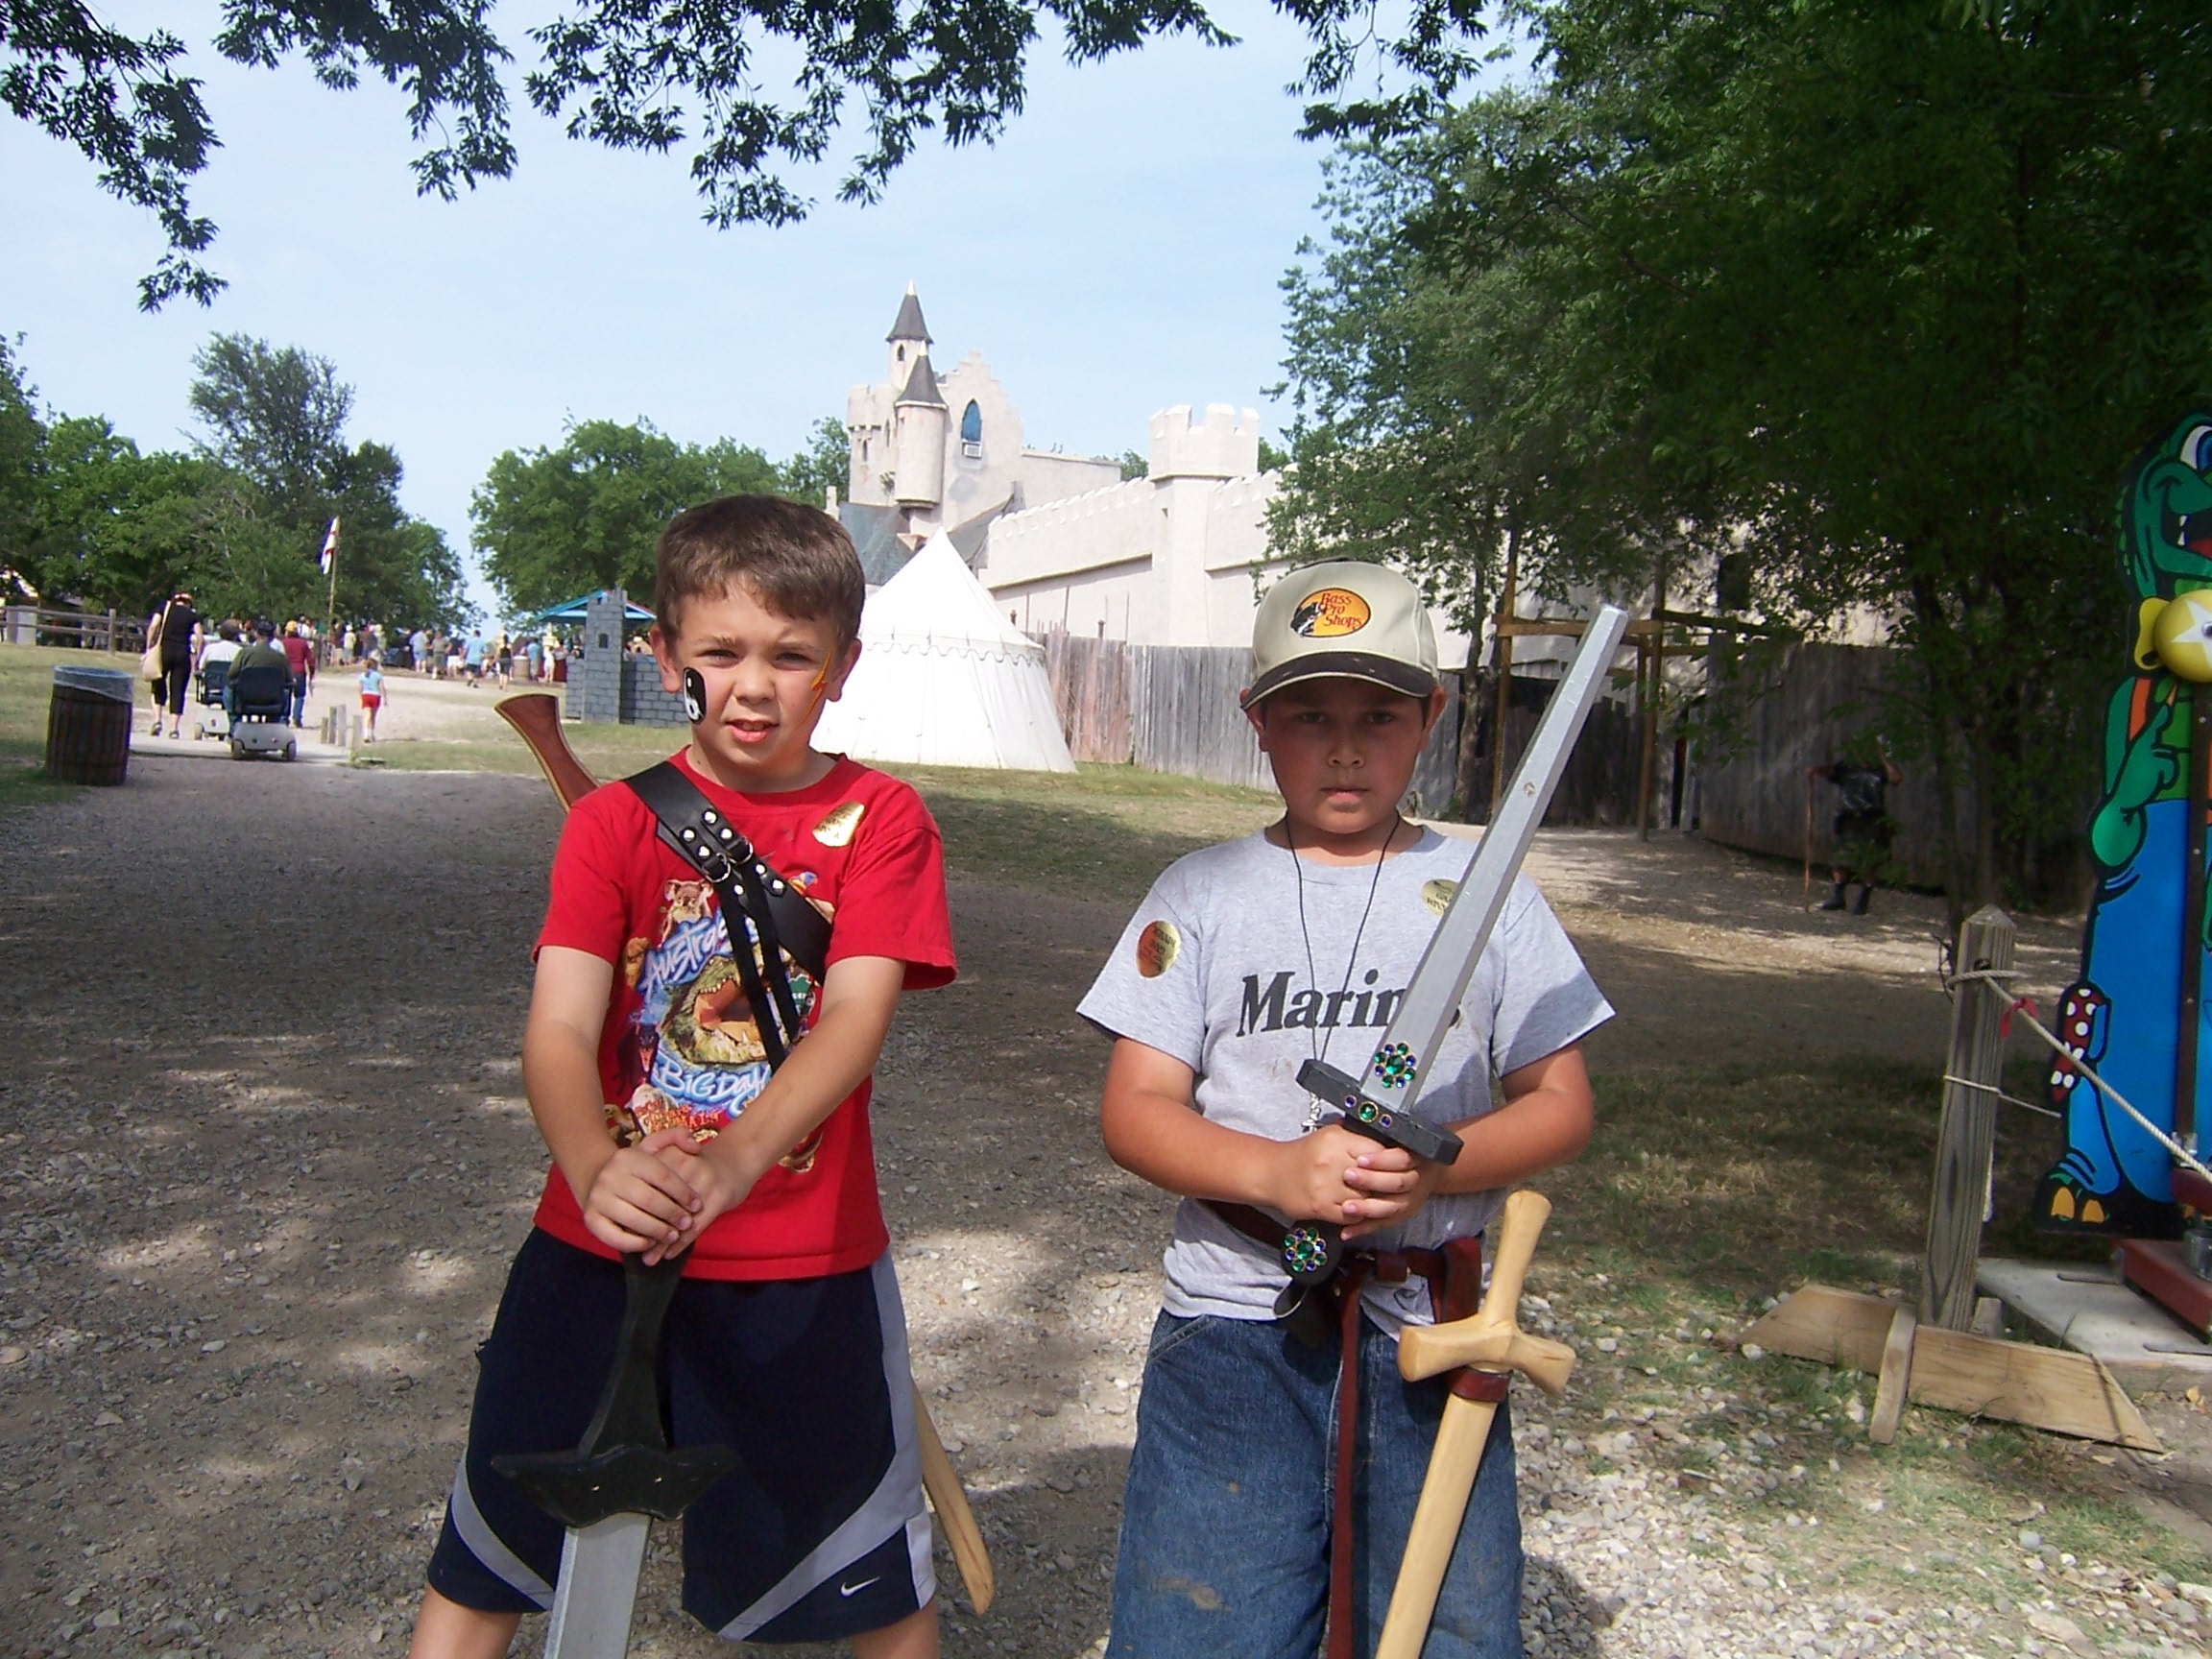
(1970, 1123)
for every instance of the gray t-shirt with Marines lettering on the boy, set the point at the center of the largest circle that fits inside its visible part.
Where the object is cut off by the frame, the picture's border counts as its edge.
(1213, 970)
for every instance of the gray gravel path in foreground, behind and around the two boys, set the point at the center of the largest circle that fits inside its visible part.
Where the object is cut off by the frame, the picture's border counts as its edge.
(264, 1160)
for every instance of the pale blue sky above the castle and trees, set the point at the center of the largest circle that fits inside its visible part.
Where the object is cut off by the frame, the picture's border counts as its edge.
(1116, 253)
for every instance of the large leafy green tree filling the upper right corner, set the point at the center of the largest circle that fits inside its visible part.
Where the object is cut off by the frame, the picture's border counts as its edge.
(1895, 293)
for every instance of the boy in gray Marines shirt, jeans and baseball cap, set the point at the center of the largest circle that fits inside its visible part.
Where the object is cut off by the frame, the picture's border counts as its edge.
(1277, 1465)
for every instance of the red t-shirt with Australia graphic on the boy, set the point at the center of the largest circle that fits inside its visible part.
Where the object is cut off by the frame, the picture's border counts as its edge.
(680, 1043)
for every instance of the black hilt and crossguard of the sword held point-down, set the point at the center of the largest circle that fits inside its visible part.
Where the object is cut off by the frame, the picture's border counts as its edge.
(623, 1465)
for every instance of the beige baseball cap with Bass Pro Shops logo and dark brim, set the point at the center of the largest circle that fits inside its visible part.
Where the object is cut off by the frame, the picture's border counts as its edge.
(1344, 618)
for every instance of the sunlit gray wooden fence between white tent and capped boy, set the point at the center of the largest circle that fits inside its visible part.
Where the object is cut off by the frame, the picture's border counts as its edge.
(1173, 709)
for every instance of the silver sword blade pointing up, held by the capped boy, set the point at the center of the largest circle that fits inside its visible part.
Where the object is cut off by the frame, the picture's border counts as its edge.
(1432, 999)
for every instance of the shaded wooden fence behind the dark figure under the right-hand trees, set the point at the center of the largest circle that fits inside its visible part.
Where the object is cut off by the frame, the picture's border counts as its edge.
(1771, 718)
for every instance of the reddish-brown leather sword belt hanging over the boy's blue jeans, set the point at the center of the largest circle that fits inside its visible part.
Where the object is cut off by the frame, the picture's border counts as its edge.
(1333, 1311)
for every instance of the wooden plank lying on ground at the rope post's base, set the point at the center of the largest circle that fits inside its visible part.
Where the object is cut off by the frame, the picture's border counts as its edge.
(2047, 1388)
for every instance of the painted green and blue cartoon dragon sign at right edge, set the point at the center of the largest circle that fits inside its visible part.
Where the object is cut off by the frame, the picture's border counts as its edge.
(2127, 1010)
